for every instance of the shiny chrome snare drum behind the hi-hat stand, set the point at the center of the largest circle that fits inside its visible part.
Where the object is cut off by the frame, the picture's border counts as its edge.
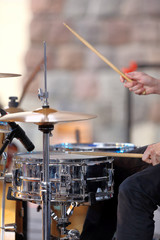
(69, 177)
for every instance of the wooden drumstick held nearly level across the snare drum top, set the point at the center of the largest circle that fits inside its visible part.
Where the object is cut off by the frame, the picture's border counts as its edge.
(109, 154)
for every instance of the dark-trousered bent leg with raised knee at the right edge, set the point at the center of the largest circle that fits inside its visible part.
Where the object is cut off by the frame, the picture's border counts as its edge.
(138, 198)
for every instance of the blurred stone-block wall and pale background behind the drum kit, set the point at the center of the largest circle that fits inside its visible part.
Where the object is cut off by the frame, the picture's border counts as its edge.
(122, 30)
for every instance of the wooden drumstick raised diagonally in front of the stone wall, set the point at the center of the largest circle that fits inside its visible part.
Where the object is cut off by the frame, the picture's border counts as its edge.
(98, 53)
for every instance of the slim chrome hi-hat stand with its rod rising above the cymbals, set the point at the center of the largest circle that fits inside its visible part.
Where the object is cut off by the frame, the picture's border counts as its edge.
(45, 183)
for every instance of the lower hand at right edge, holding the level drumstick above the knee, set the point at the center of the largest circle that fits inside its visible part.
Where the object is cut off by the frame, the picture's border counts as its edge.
(152, 154)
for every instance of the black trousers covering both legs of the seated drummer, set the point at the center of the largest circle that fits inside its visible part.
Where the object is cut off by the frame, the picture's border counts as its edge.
(139, 195)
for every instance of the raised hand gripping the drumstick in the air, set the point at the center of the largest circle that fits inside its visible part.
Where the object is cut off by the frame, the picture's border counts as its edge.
(142, 83)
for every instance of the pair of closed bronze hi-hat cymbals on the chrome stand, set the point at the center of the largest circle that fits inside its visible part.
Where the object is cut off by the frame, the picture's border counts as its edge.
(43, 116)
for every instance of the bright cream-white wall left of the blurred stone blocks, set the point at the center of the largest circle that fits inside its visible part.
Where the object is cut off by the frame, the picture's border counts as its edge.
(14, 22)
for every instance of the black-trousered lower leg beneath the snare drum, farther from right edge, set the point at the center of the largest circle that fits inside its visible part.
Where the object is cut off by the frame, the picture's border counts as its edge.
(100, 223)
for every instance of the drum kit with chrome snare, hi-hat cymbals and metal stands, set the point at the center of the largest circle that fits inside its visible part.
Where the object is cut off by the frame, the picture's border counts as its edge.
(56, 176)
